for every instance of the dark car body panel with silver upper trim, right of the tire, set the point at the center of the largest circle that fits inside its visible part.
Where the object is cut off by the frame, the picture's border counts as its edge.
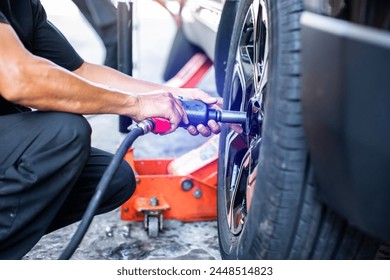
(346, 109)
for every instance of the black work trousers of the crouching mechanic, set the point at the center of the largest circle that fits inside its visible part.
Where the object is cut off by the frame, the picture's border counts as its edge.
(48, 173)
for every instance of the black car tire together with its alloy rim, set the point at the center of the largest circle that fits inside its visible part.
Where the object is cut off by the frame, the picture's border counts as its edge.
(280, 215)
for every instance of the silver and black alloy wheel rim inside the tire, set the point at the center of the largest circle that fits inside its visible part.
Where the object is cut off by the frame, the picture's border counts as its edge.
(247, 93)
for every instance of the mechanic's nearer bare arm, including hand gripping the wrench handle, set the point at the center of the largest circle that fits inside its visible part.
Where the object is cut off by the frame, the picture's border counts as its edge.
(34, 82)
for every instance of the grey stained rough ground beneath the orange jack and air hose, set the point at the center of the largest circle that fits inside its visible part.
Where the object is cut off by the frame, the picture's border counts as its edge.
(111, 239)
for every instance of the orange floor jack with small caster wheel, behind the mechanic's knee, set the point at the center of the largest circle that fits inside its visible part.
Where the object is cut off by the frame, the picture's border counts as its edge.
(183, 188)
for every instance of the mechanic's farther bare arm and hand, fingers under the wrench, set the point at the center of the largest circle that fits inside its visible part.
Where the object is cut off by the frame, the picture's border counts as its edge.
(115, 79)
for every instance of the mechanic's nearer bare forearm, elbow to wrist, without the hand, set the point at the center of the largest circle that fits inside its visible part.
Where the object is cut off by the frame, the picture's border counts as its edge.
(45, 86)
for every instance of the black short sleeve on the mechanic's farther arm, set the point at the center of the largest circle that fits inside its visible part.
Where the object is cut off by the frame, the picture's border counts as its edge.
(50, 43)
